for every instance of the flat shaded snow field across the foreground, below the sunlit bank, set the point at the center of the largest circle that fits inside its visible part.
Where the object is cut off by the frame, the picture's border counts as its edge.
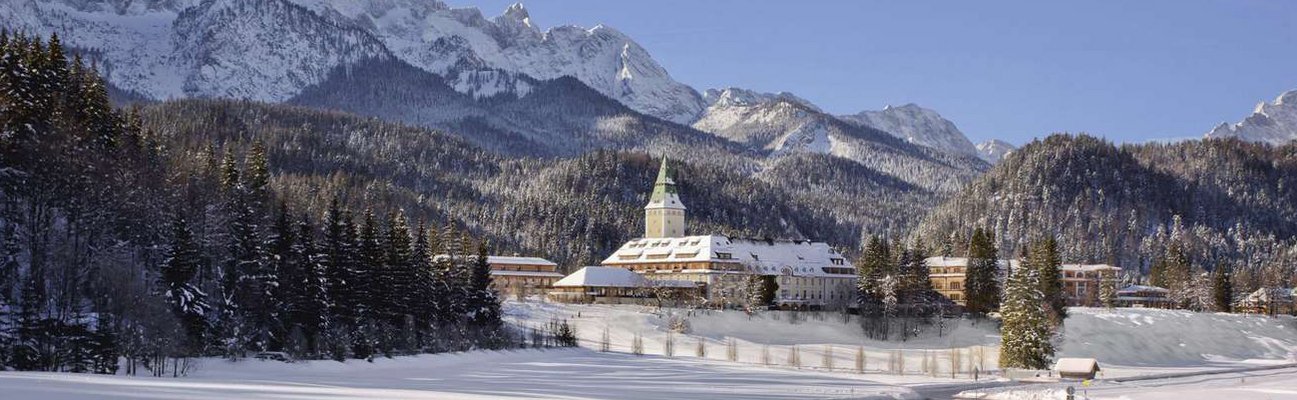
(523, 375)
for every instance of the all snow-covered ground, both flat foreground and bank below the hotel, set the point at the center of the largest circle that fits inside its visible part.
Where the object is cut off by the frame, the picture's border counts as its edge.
(1128, 342)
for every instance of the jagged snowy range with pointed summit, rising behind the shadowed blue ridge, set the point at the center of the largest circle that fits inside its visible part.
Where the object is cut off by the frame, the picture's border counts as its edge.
(457, 41)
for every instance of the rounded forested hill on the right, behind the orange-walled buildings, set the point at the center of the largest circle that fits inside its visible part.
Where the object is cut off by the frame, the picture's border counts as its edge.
(1225, 202)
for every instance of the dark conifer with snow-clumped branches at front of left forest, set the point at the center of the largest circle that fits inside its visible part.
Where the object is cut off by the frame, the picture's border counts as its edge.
(177, 281)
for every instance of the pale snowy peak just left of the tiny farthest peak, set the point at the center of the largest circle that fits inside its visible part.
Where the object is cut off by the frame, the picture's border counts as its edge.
(916, 125)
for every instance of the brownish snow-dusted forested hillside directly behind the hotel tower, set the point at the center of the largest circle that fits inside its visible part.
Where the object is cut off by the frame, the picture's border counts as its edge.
(574, 211)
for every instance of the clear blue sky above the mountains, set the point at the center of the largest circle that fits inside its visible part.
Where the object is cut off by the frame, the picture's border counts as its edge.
(1014, 71)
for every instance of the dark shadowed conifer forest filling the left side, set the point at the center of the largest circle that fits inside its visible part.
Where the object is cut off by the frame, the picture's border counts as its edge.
(120, 242)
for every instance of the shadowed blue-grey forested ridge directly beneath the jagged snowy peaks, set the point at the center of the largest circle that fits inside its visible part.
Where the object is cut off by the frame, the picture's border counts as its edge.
(557, 118)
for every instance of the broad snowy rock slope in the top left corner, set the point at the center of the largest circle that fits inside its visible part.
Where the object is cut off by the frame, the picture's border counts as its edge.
(226, 49)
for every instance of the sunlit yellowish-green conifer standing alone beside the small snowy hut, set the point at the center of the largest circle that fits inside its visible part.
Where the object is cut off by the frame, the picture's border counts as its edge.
(1027, 329)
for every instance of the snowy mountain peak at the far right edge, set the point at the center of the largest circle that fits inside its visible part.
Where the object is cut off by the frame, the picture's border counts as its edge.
(1270, 123)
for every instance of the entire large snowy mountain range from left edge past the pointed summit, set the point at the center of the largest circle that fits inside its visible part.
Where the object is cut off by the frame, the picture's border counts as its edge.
(270, 50)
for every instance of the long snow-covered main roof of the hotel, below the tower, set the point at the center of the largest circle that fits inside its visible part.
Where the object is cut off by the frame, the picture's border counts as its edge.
(766, 258)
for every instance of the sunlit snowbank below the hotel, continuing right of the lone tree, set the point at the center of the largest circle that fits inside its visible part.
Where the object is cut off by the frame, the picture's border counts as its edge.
(1126, 342)
